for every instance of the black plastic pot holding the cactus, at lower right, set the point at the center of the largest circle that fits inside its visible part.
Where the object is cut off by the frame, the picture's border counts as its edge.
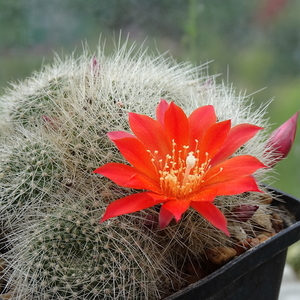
(254, 275)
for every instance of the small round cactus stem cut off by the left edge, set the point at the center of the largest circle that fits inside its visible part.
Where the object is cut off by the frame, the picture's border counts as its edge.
(30, 171)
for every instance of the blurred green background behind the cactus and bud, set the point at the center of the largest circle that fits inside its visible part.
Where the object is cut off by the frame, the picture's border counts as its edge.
(254, 44)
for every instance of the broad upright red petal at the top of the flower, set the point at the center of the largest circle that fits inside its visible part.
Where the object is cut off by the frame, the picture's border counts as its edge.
(176, 125)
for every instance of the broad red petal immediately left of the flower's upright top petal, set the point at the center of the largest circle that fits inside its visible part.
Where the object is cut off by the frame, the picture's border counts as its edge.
(151, 134)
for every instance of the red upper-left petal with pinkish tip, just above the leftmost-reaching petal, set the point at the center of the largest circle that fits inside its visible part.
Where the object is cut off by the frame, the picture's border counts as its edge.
(136, 154)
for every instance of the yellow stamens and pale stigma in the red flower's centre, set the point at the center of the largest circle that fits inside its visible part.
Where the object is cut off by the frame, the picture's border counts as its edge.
(181, 173)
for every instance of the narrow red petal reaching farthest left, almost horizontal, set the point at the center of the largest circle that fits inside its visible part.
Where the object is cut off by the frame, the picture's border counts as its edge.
(127, 176)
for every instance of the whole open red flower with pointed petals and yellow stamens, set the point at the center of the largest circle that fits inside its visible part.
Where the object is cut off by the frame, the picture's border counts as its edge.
(181, 162)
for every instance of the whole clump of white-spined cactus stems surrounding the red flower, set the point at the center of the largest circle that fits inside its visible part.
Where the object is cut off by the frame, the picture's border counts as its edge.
(54, 136)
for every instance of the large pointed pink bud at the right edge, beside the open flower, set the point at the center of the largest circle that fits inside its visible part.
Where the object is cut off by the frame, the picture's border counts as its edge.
(282, 139)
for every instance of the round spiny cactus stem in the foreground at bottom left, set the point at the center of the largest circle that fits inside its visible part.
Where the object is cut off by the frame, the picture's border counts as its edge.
(67, 254)
